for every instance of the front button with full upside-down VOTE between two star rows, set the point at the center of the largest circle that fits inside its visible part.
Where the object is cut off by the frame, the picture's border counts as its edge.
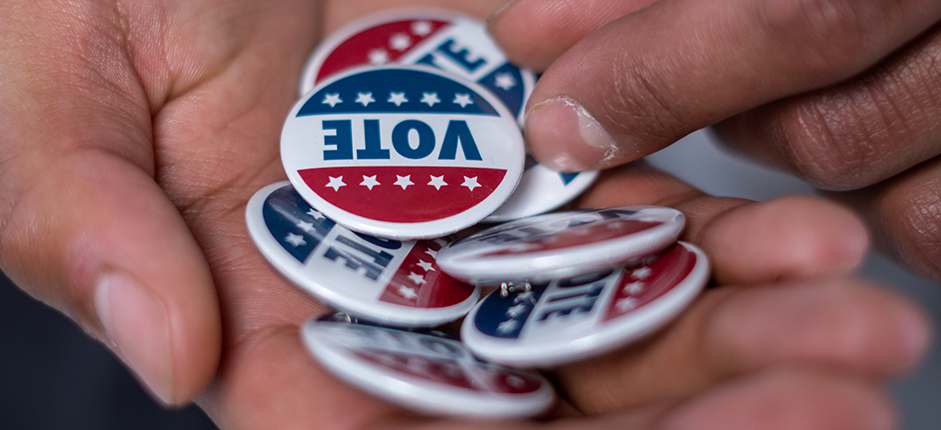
(403, 152)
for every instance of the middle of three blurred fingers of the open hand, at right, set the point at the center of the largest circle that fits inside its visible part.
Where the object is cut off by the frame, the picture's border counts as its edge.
(834, 324)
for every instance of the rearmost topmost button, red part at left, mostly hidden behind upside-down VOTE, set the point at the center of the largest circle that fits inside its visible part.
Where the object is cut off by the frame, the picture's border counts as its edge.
(447, 40)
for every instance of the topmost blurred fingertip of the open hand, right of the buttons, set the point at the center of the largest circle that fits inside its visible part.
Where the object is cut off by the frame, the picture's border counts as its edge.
(792, 236)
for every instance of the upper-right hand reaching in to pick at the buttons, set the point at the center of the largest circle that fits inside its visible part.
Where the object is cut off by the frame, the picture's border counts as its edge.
(842, 93)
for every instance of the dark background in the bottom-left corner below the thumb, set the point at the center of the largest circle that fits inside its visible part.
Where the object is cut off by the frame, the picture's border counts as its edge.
(53, 376)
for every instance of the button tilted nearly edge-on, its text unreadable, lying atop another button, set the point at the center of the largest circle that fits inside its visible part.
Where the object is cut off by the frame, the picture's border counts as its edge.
(561, 244)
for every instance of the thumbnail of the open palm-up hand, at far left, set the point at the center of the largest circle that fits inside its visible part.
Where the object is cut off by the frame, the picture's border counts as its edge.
(137, 323)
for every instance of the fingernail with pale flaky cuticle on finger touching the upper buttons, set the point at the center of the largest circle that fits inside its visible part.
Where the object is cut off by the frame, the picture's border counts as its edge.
(564, 136)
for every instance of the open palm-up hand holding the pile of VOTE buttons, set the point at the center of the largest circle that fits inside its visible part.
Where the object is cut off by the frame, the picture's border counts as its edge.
(135, 132)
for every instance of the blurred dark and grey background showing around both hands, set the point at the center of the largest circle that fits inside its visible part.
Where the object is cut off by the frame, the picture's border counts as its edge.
(52, 376)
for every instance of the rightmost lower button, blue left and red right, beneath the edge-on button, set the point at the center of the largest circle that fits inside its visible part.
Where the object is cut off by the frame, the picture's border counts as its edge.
(574, 318)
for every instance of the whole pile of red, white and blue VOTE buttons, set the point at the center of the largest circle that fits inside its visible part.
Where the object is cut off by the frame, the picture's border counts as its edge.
(408, 132)
